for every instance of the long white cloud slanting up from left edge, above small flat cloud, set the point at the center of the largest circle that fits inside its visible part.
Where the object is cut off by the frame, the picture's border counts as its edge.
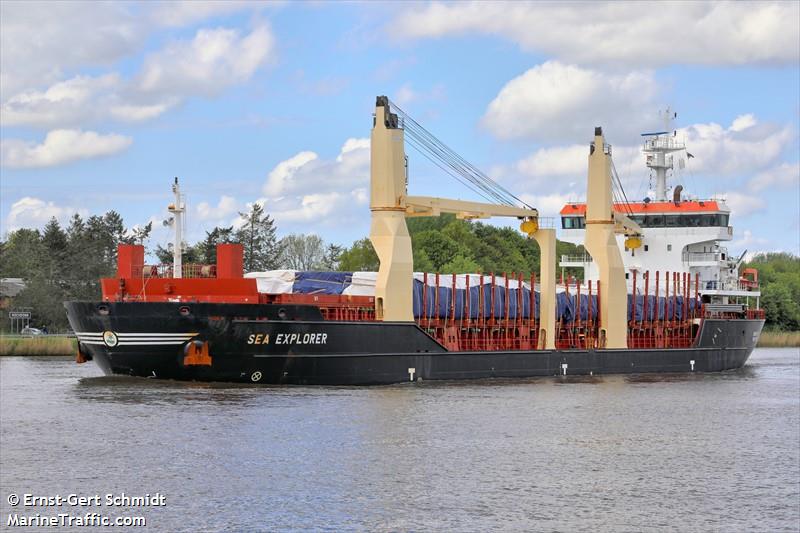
(212, 61)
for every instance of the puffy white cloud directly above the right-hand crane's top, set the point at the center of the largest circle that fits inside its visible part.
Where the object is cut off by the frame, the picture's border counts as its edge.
(555, 101)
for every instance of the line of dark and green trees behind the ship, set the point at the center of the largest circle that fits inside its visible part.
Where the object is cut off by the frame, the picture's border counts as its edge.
(60, 264)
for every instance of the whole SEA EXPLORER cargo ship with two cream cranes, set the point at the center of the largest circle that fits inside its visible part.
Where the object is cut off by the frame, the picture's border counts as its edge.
(216, 323)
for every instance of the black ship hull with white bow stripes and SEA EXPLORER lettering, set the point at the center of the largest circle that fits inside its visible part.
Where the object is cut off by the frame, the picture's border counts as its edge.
(271, 344)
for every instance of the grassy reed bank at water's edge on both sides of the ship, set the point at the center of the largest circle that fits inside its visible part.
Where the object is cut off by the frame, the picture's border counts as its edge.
(67, 346)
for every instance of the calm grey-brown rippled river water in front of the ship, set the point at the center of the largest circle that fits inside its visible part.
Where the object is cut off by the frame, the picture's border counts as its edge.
(716, 452)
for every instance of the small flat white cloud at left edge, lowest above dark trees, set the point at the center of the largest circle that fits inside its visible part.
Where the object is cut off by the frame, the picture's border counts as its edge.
(59, 147)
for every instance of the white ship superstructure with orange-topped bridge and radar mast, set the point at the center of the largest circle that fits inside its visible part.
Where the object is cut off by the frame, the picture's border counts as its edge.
(679, 235)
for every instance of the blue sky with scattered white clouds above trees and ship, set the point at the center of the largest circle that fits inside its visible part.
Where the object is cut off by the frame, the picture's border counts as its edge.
(102, 104)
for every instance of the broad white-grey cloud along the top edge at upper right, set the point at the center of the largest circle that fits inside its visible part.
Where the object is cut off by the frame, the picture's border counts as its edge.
(622, 33)
